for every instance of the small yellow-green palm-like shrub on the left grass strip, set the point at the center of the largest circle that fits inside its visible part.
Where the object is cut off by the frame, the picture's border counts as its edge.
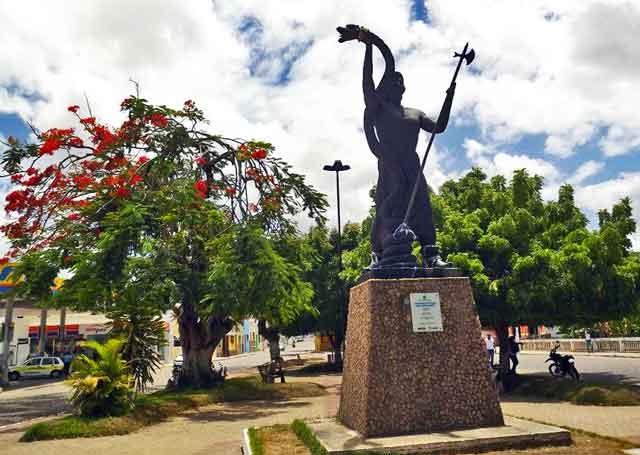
(102, 387)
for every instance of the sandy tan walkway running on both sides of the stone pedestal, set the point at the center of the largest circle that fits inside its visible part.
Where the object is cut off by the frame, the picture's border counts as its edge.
(217, 429)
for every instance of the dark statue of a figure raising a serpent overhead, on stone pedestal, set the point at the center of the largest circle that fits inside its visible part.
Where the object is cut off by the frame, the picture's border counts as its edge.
(392, 132)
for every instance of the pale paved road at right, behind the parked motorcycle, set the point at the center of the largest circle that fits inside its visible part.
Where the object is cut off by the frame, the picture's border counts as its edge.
(591, 367)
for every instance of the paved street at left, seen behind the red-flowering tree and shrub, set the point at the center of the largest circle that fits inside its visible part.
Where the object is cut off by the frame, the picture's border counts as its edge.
(32, 398)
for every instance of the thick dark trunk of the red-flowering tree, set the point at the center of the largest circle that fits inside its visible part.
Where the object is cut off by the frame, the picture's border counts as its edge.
(199, 338)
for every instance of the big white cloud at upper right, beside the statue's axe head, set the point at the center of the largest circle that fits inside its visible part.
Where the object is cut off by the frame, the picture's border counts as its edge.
(563, 77)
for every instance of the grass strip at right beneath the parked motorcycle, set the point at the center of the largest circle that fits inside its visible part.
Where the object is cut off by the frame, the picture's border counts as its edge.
(583, 393)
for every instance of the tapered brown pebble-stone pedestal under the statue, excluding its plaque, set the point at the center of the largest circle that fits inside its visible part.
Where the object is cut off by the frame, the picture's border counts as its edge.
(399, 382)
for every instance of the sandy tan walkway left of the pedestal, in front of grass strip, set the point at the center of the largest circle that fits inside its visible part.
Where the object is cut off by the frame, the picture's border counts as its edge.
(214, 429)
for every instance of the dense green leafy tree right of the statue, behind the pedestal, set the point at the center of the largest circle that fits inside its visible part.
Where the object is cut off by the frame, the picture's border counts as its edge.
(535, 262)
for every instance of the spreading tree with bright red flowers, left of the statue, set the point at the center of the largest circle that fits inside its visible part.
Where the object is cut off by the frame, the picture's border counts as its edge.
(145, 205)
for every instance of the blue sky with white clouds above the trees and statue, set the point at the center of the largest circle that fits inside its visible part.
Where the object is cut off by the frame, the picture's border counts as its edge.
(552, 88)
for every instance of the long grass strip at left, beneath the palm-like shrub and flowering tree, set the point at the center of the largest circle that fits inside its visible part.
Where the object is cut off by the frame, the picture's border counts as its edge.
(158, 406)
